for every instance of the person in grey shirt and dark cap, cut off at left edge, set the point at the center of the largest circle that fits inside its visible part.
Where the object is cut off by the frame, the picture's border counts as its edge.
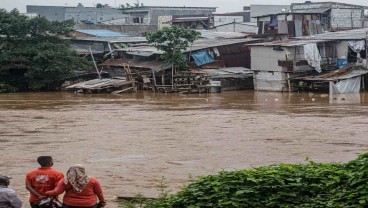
(8, 197)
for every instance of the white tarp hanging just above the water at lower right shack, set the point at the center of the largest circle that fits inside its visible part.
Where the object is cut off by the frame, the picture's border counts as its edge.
(351, 85)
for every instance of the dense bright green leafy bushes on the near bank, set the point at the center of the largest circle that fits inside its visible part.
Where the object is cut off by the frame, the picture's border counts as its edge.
(311, 185)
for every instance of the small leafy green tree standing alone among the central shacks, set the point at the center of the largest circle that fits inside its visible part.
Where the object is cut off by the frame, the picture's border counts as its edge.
(173, 41)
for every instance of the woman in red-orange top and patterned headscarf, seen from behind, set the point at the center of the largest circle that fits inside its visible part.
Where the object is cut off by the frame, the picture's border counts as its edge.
(81, 191)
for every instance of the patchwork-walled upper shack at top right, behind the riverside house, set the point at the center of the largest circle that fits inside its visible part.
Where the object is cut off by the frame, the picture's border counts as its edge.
(311, 18)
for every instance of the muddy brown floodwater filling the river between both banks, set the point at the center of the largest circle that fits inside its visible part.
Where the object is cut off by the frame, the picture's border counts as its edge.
(131, 141)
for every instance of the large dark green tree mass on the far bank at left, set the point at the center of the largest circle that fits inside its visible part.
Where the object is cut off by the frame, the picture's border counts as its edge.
(32, 54)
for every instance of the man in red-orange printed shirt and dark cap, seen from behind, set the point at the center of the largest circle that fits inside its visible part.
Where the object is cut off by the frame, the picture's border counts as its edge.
(42, 179)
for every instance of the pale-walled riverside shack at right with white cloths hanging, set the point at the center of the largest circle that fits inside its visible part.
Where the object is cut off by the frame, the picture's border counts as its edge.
(281, 65)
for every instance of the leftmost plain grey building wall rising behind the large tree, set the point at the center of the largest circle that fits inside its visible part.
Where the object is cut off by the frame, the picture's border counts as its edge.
(51, 13)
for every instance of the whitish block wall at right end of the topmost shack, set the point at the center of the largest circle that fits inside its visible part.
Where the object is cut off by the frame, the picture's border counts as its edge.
(346, 18)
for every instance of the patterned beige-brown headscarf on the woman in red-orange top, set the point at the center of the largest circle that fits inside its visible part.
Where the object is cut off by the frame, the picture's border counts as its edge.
(77, 177)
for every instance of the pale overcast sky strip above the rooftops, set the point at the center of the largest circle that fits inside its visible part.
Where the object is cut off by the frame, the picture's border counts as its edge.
(223, 5)
